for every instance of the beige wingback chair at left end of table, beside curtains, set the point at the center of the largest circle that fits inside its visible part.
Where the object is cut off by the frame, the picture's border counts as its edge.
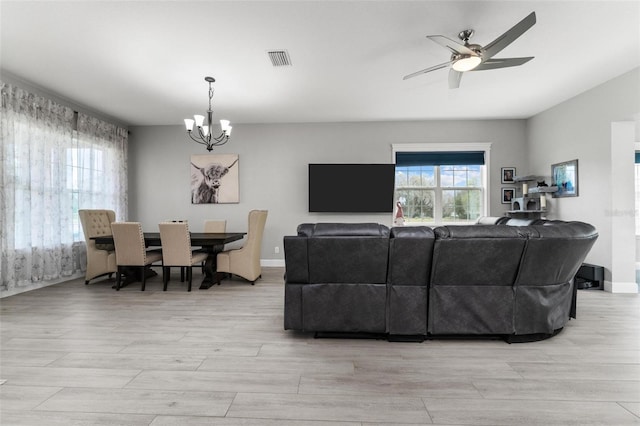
(101, 258)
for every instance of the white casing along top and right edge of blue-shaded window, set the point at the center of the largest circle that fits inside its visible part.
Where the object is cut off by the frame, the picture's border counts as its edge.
(463, 146)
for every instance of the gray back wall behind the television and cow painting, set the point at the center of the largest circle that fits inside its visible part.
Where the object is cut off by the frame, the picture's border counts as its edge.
(273, 168)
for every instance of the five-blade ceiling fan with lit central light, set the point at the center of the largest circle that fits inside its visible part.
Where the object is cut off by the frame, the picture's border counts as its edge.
(473, 57)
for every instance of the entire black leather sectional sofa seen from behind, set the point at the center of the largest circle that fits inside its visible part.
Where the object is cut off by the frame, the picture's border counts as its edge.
(501, 277)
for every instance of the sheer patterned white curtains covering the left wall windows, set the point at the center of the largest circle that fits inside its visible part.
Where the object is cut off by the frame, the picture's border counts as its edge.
(49, 171)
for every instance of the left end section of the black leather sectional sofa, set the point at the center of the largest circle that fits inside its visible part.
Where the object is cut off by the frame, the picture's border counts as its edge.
(344, 286)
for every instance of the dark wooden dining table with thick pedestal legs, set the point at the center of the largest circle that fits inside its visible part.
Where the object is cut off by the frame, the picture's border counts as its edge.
(211, 242)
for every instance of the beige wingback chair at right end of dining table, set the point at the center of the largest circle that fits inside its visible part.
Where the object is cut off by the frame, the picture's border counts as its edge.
(245, 261)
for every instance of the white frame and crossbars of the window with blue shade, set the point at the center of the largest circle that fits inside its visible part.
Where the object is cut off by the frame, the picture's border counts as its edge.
(451, 147)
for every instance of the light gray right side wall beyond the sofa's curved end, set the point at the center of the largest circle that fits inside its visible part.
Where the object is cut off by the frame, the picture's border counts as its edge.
(585, 127)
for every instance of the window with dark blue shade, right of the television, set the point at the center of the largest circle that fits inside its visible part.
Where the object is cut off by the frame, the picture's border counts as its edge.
(440, 187)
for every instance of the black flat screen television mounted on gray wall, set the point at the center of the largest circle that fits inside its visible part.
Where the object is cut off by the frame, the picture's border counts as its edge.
(351, 188)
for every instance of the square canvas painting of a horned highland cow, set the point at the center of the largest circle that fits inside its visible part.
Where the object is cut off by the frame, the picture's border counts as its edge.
(215, 179)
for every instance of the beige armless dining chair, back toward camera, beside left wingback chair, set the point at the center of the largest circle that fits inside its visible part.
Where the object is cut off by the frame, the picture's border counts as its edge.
(131, 252)
